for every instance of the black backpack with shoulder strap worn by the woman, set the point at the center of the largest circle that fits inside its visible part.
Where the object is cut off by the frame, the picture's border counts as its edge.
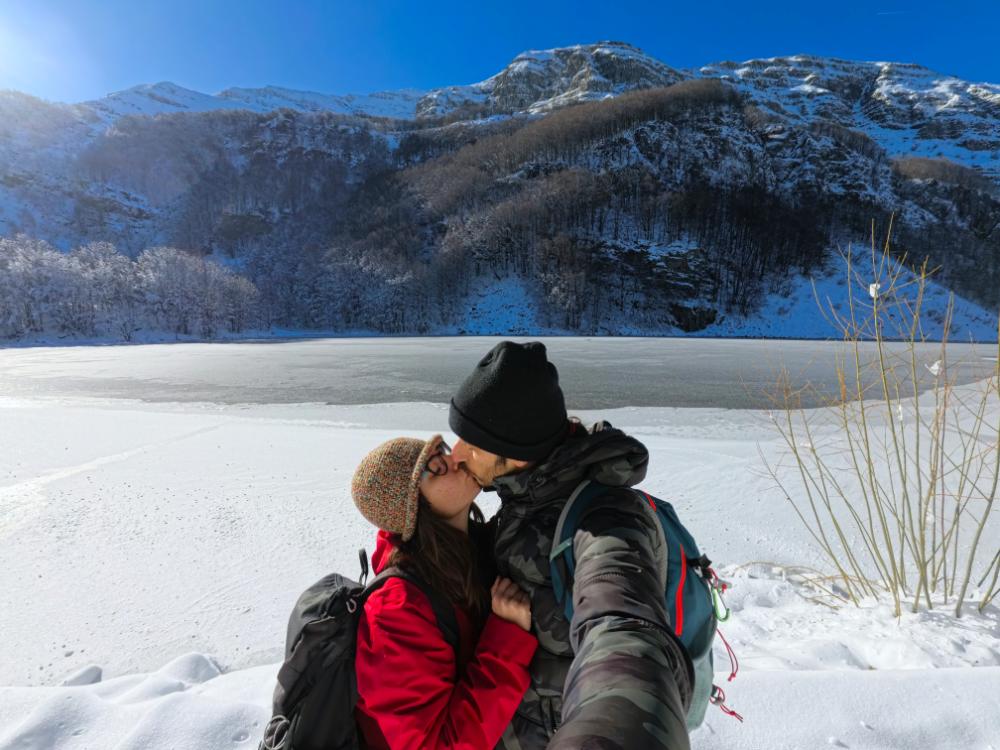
(317, 690)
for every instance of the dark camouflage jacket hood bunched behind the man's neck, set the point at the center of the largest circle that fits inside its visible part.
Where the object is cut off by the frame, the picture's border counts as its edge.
(602, 454)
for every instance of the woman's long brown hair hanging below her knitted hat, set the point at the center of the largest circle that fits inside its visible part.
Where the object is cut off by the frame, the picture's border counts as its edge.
(443, 557)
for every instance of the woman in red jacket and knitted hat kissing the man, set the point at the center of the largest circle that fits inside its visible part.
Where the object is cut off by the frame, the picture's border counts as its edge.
(414, 690)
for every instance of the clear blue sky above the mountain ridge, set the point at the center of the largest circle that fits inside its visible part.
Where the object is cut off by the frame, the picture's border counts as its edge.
(69, 50)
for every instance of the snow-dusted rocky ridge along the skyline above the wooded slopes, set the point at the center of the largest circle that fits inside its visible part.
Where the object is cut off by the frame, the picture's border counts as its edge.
(906, 107)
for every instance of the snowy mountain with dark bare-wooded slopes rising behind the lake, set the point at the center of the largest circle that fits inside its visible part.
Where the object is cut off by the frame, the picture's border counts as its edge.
(599, 155)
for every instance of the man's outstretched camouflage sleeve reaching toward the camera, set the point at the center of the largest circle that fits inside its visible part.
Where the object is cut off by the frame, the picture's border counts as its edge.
(629, 685)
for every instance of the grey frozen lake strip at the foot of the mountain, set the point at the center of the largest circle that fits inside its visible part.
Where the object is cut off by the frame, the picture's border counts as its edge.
(596, 373)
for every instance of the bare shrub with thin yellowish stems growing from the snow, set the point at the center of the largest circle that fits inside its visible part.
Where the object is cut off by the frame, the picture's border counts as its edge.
(899, 490)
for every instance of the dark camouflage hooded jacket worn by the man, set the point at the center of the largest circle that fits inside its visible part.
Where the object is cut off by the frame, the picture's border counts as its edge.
(616, 676)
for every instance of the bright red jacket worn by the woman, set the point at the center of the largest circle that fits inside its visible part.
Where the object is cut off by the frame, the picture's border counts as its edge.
(409, 697)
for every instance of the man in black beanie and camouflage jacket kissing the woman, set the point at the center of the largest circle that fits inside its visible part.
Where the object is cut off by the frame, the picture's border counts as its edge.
(616, 676)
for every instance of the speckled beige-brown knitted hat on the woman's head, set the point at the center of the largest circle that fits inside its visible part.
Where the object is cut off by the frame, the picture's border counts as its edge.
(386, 485)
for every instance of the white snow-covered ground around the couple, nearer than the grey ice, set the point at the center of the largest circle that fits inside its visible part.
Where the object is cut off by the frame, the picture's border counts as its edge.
(150, 552)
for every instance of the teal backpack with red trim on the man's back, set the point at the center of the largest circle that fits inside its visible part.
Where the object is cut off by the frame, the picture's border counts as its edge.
(693, 593)
